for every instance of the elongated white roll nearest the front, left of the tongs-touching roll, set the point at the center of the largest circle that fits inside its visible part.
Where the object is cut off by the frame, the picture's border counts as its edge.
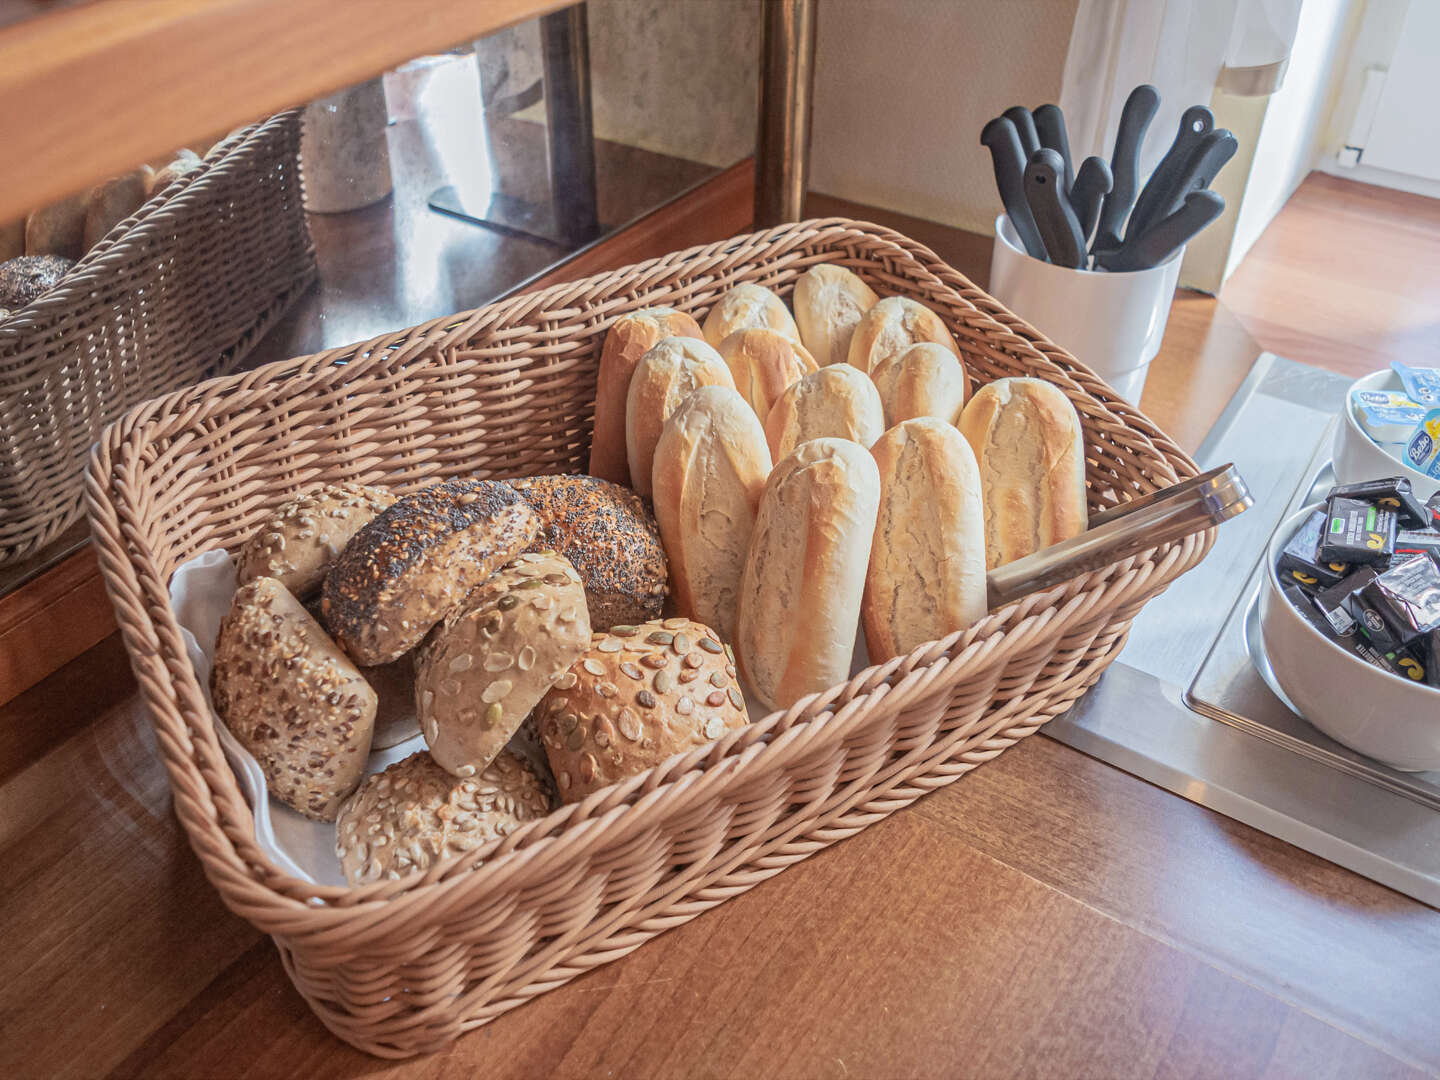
(806, 571)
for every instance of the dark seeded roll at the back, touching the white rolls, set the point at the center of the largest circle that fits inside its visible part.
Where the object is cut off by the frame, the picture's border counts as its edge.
(610, 538)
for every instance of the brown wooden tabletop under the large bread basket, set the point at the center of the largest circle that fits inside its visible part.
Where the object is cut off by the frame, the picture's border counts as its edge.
(1046, 917)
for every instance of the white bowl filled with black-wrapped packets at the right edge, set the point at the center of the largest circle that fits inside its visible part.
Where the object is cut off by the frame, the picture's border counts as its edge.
(1385, 716)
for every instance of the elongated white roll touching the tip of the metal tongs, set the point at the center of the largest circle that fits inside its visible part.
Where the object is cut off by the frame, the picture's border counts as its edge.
(927, 572)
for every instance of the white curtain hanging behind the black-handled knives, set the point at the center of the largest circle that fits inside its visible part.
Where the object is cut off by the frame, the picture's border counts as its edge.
(1183, 48)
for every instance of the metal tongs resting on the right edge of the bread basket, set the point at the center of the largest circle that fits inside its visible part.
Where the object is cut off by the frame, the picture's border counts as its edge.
(1133, 528)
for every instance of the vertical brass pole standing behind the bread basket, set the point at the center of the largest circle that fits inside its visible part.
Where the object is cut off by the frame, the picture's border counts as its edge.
(783, 136)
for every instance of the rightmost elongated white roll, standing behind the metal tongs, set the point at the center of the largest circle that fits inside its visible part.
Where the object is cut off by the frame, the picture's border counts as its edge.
(1030, 447)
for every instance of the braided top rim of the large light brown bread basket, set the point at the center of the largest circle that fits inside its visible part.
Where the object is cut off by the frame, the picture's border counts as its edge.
(165, 675)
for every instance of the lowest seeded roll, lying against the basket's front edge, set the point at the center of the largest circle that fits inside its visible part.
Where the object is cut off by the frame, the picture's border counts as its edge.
(415, 814)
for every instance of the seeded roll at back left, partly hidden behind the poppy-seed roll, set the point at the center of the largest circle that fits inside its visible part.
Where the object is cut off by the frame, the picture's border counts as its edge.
(305, 536)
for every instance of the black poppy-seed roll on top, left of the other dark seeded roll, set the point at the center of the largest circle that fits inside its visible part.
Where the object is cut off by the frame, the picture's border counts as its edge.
(418, 561)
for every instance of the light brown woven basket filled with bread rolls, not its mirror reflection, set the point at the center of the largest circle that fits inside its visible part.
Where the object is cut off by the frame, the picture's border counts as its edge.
(404, 967)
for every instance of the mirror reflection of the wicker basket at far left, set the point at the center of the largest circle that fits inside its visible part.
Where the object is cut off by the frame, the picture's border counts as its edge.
(176, 293)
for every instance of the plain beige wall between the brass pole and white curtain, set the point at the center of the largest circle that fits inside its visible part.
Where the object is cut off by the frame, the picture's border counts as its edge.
(902, 91)
